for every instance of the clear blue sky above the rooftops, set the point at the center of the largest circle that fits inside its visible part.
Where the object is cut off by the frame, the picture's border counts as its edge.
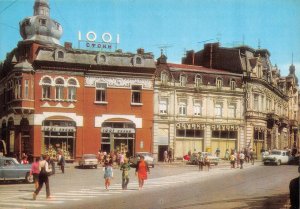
(175, 25)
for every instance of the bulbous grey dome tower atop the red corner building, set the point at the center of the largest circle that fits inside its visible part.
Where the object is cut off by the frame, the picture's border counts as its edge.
(41, 27)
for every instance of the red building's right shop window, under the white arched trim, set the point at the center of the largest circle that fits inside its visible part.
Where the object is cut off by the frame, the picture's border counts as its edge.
(118, 136)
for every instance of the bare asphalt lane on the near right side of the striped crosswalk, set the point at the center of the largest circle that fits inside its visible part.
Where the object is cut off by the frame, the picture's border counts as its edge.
(241, 188)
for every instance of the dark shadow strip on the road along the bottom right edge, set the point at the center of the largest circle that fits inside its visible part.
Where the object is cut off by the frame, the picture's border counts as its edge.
(279, 201)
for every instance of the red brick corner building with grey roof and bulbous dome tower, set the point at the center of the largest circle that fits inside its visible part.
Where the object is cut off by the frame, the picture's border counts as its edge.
(56, 97)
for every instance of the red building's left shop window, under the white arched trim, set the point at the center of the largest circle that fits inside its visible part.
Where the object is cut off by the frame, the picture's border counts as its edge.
(59, 135)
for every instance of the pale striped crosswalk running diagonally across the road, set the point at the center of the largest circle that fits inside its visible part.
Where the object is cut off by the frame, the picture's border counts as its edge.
(10, 199)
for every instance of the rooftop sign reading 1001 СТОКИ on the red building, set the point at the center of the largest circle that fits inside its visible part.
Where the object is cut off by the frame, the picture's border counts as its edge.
(93, 41)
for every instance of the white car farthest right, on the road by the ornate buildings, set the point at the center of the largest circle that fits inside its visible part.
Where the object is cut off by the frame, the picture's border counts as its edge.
(277, 157)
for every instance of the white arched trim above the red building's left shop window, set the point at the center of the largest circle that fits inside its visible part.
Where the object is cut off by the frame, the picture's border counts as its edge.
(39, 118)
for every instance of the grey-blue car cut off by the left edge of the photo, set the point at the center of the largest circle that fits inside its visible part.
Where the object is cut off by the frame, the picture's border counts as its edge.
(11, 169)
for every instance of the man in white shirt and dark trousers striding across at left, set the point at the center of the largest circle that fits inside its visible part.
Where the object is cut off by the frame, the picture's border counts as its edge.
(43, 177)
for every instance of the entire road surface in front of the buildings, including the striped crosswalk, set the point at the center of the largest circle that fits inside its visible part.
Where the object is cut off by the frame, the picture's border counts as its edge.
(168, 187)
